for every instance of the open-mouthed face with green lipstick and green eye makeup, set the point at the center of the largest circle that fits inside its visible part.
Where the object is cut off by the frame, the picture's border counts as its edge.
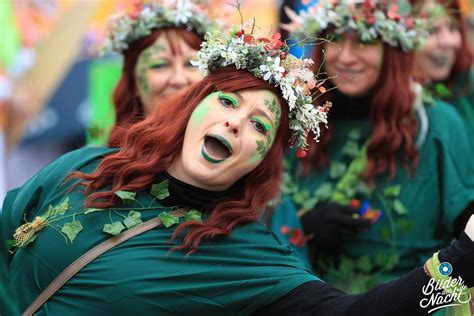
(227, 136)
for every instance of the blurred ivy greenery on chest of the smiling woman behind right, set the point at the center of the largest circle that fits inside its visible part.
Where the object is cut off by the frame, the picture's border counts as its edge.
(344, 184)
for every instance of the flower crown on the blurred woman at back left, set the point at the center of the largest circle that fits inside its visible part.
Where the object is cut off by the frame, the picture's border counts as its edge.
(125, 28)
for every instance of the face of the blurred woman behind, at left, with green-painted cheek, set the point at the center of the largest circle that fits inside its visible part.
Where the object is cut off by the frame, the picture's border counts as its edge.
(161, 72)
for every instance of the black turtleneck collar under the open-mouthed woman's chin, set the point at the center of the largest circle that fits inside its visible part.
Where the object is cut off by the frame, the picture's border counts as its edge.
(186, 195)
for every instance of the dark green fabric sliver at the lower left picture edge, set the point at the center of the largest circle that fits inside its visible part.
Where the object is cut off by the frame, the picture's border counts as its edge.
(8, 304)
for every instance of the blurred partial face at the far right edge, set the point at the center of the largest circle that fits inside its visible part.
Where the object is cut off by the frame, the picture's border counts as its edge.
(436, 58)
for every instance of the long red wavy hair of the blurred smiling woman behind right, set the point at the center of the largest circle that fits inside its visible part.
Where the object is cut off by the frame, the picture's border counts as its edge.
(393, 119)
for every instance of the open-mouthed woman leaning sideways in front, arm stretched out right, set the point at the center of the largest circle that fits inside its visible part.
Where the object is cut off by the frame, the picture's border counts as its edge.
(203, 177)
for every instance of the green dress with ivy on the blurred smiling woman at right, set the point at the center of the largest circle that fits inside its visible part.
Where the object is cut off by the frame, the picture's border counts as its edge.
(418, 211)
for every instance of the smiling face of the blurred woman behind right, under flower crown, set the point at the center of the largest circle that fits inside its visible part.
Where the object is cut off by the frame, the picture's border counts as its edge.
(355, 66)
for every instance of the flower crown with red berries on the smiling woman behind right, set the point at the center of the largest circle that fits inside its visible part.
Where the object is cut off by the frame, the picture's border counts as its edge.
(389, 21)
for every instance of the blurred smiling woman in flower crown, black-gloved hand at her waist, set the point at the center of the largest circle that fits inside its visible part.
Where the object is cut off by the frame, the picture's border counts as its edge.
(393, 178)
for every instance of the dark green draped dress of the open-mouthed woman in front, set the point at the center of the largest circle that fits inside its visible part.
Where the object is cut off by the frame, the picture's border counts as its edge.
(235, 275)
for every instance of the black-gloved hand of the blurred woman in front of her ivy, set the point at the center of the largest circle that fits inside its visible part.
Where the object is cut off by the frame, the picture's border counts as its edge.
(331, 223)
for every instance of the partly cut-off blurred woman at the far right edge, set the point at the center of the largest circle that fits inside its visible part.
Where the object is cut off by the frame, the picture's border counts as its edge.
(444, 62)
